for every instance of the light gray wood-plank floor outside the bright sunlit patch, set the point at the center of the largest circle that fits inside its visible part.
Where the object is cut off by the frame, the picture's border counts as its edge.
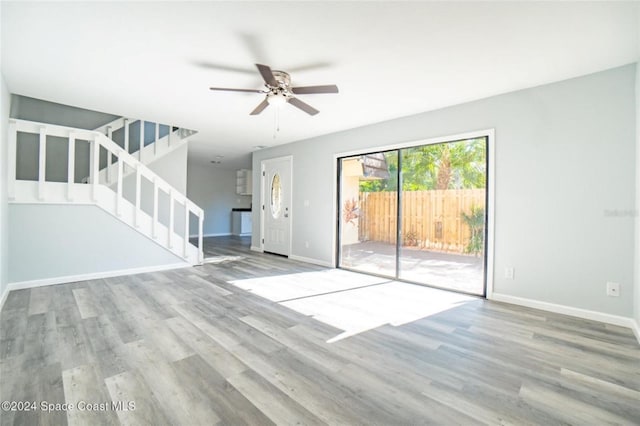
(186, 347)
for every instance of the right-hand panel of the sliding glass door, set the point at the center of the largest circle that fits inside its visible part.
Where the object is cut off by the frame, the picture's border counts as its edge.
(443, 215)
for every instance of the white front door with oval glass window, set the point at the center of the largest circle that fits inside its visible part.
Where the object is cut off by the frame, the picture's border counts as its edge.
(276, 205)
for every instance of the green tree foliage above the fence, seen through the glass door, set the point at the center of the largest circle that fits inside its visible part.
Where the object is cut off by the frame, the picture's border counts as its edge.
(452, 165)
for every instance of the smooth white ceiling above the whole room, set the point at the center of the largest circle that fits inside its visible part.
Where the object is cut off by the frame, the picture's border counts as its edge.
(156, 60)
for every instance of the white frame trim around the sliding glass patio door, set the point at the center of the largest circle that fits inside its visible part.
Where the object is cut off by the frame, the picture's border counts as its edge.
(490, 225)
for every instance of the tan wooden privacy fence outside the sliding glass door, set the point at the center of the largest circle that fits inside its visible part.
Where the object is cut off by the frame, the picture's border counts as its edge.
(430, 219)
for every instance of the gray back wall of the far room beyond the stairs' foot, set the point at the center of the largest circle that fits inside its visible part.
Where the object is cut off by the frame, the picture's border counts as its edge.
(214, 190)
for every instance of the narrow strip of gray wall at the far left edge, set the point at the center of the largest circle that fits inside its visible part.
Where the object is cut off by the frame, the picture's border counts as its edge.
(5, 101)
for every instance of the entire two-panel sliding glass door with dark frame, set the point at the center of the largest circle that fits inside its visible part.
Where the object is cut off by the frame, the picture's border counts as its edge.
(432, 231)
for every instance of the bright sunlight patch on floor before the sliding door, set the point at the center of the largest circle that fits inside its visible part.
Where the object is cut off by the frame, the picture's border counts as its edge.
(353, 302)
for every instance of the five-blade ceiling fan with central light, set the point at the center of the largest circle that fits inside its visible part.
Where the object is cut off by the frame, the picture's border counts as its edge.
(278, 91)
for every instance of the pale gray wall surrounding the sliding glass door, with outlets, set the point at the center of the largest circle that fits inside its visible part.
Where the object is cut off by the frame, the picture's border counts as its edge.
(564, 163)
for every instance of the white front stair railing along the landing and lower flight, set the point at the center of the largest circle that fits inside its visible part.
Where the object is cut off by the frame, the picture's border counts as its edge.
(99, 193)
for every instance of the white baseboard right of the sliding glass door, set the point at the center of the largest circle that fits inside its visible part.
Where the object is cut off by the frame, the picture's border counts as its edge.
(568, 310)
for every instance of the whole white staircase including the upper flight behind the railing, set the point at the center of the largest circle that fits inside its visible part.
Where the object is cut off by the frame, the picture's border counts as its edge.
(117, 181)
